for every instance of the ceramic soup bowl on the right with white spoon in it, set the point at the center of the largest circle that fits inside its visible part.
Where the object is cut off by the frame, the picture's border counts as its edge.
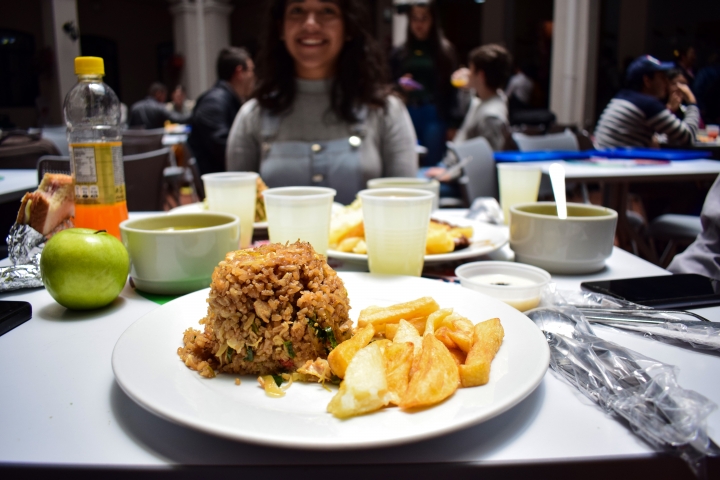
(579, 244)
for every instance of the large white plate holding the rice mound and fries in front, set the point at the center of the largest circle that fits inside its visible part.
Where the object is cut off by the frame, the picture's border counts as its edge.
(148, 369)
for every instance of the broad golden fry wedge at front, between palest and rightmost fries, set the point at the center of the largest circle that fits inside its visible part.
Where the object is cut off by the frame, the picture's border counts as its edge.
(436, 377)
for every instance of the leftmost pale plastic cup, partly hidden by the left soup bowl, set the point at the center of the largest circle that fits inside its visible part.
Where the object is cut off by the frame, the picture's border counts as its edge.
(236, 193)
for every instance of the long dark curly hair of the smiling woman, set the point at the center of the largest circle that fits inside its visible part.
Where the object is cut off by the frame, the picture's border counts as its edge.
(360, 77)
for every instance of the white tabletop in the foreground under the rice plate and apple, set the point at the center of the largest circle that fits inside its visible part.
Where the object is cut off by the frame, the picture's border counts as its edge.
(60, 404)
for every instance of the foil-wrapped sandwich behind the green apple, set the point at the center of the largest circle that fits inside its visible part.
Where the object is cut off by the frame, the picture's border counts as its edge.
(42, 213)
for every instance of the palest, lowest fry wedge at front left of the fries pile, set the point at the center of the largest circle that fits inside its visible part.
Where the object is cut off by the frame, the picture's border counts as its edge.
(365, 386)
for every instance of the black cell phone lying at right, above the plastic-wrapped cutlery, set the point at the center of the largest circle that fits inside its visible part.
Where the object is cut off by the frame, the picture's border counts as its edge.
(672, 292)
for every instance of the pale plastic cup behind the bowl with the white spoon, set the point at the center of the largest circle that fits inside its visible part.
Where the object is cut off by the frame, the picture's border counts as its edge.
(519, 183)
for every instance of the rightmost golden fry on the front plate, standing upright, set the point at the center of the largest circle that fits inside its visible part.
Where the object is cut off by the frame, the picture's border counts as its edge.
(487, 338)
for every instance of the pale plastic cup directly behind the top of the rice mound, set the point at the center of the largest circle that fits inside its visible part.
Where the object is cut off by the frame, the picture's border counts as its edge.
(300, 213)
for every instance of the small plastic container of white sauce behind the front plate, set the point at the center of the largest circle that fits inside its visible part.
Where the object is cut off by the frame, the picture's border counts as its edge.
(516, 284)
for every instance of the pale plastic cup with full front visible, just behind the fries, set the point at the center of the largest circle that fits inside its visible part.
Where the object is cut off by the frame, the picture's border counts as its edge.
(396, 223)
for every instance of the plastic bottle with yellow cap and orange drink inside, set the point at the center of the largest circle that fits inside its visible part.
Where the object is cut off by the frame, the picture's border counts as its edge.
(92, 115)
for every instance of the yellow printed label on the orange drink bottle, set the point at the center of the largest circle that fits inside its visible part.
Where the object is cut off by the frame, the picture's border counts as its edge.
(97, 169)
